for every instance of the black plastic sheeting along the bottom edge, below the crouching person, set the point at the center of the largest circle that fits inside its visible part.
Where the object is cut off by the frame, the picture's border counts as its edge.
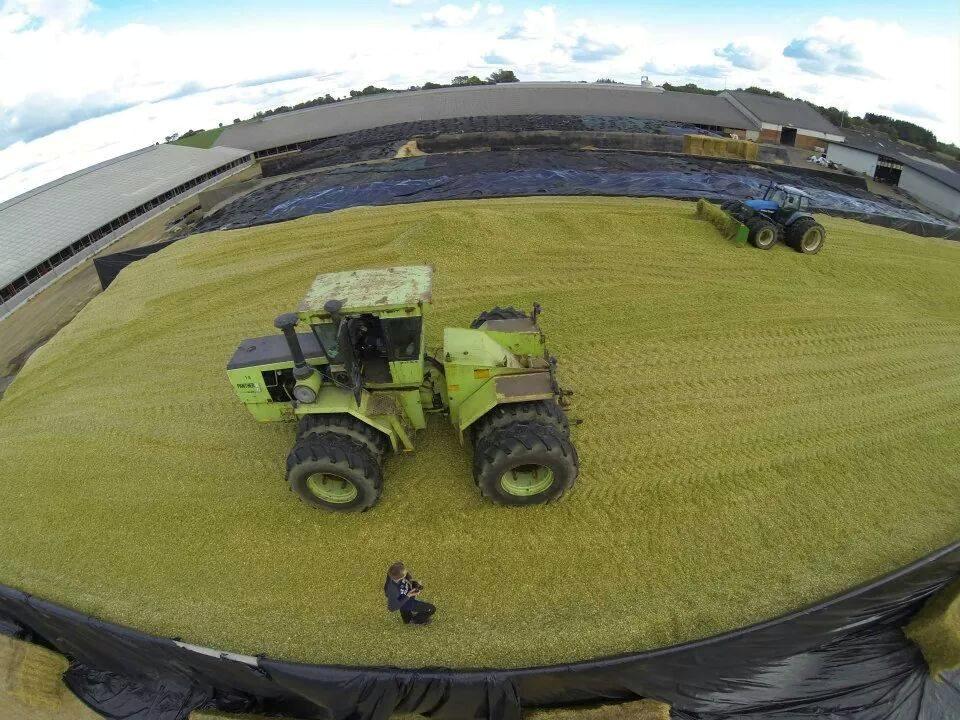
(843, 658)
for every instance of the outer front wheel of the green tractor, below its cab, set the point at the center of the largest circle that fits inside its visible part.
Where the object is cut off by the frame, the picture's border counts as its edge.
(334, 472)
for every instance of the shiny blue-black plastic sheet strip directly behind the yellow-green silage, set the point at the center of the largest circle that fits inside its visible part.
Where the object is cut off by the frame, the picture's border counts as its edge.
(555, 172)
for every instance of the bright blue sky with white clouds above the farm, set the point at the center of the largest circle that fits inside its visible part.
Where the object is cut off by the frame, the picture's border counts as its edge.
(83, 81)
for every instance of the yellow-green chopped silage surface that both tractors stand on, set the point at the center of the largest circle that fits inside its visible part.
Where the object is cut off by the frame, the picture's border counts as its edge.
(760, 430)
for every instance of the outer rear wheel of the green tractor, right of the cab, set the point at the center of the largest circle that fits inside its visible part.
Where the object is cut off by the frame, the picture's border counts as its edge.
(525, 464)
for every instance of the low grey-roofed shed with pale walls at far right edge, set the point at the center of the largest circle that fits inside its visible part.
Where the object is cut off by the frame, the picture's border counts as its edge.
(926, 177)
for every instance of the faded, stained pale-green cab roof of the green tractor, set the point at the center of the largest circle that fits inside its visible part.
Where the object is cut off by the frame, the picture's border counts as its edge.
(371, 289)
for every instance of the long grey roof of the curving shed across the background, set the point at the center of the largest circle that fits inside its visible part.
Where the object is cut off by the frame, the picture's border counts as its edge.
(532, 98)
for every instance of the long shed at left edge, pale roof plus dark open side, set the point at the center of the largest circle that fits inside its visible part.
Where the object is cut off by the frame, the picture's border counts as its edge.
(47, 231)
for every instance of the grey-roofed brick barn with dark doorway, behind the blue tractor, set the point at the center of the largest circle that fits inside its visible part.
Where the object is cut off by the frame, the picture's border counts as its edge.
(782, 121)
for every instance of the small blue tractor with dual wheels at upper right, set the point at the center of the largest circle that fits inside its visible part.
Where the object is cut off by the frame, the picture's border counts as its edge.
(780, 215)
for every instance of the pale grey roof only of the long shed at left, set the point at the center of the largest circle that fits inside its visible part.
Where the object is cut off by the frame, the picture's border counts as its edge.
(43, 221)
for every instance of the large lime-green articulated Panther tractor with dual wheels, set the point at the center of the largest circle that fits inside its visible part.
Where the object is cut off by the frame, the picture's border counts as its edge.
(351, 368)
